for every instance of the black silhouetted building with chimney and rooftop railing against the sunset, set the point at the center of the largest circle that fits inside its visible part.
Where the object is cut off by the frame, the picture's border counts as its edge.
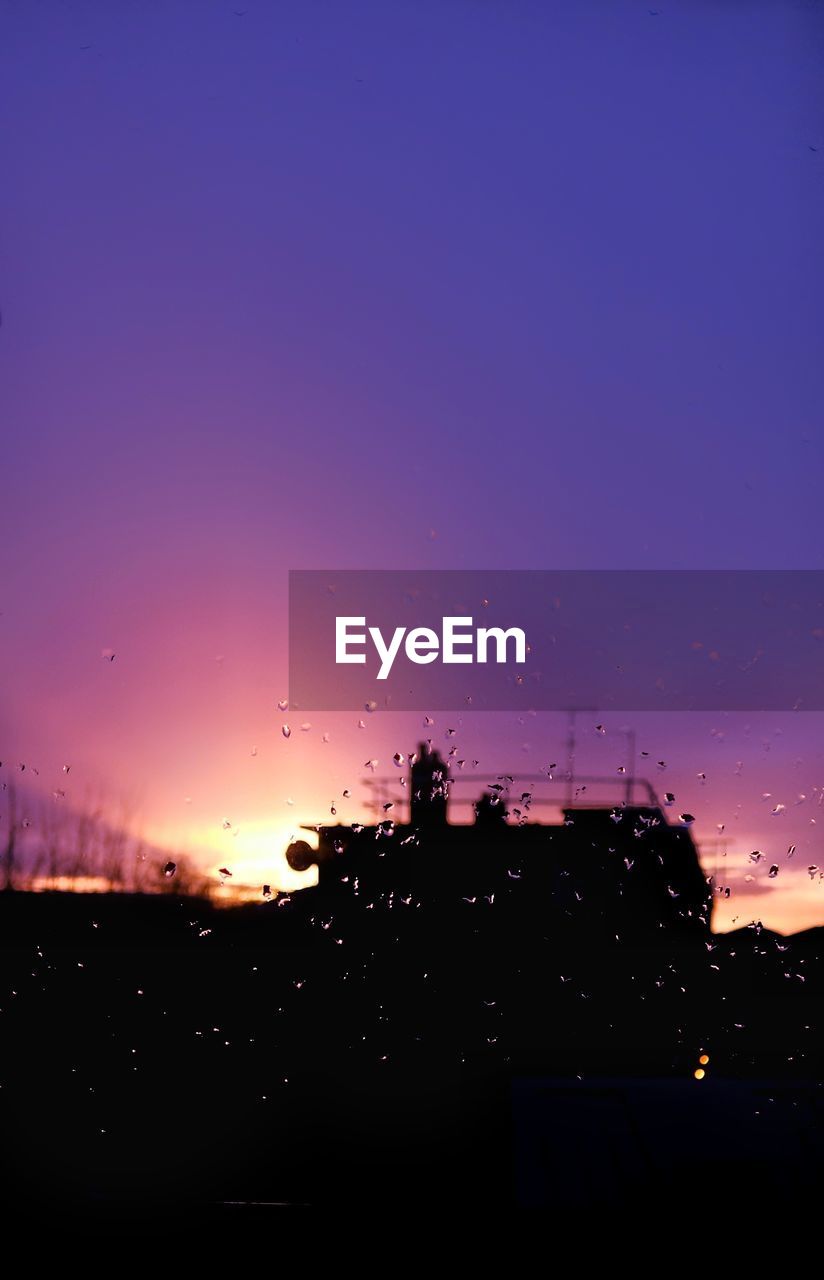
(621, 870)
